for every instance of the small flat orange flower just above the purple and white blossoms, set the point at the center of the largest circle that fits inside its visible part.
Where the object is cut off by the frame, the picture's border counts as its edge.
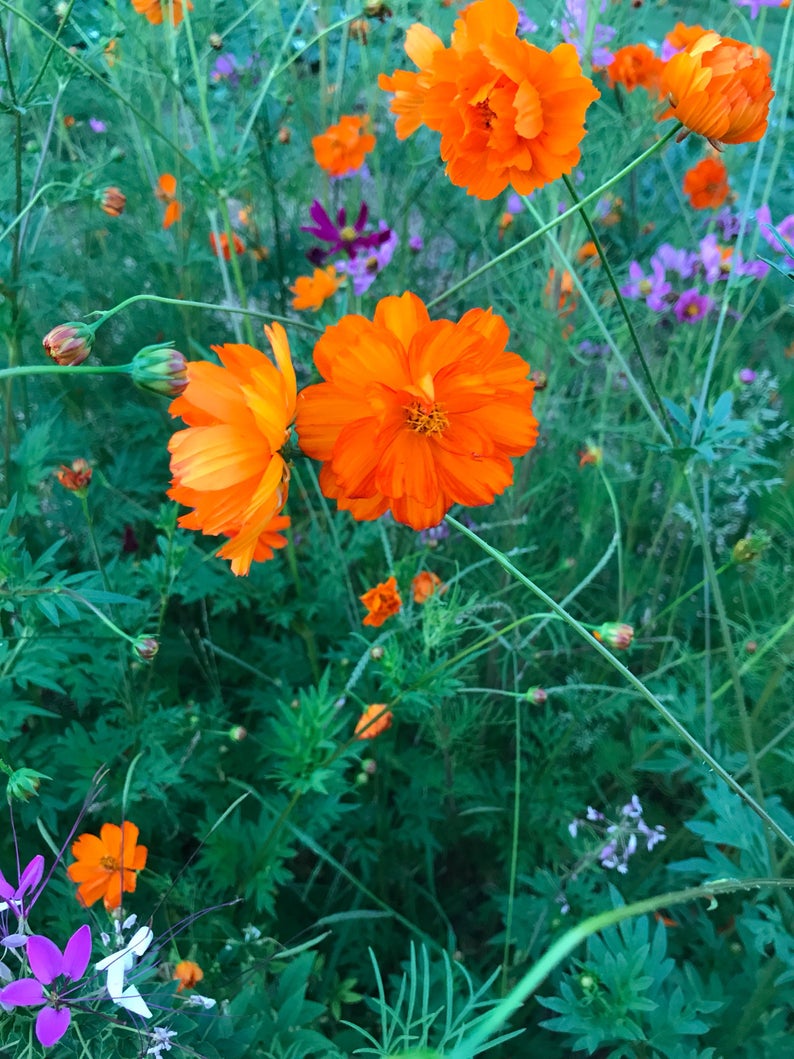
(107, 866)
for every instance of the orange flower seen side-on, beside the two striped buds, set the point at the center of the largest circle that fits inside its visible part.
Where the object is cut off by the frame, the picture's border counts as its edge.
(228, 465)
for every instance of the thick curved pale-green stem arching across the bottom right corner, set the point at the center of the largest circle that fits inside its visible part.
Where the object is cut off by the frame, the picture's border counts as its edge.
(573, 939)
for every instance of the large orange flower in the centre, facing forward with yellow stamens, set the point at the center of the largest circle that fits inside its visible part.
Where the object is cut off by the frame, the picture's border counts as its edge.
(417, 416)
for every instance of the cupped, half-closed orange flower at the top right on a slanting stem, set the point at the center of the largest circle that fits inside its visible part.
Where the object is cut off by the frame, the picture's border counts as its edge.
(720, 88)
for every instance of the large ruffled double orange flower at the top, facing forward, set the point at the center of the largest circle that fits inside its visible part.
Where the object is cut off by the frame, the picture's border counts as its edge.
(509, 113)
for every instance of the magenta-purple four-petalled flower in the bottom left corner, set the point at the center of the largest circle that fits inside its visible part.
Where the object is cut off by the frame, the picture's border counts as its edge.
(48, 964)
